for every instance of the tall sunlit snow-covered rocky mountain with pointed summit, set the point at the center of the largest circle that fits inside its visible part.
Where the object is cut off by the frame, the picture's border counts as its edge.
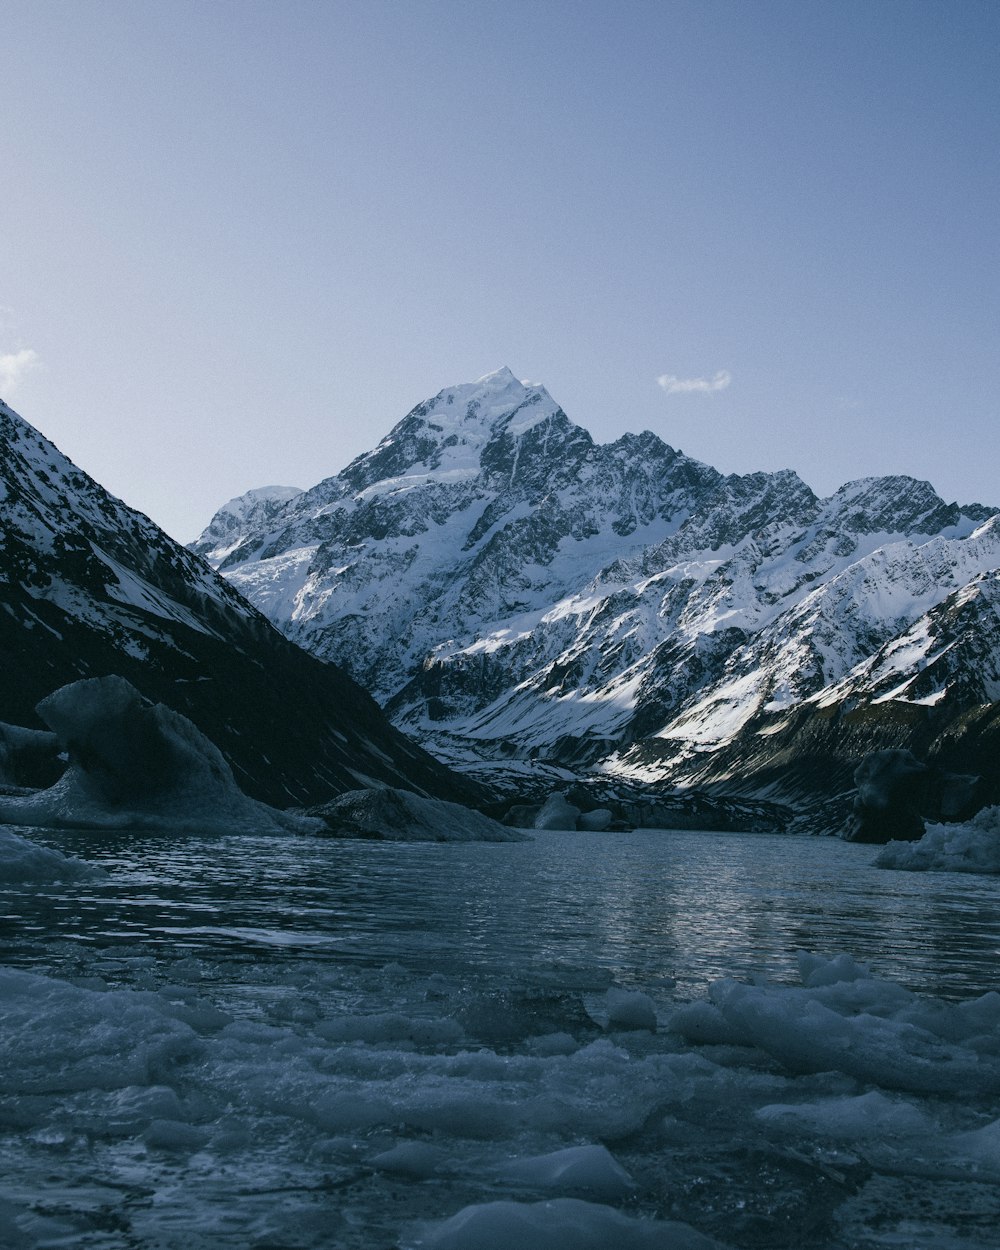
(509, 589)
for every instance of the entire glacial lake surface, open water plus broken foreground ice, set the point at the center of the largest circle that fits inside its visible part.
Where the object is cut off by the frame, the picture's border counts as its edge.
(303, 1043)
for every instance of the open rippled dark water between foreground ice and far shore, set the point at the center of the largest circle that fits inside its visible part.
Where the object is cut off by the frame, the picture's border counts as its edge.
(638, 907)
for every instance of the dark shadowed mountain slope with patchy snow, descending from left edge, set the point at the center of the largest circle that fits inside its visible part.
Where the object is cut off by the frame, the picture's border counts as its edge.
(89, 588)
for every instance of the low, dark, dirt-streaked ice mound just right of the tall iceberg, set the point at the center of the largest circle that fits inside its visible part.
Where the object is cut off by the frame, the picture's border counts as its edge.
(404, 817)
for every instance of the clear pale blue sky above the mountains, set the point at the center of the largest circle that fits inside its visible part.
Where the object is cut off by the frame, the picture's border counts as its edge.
(241, 241)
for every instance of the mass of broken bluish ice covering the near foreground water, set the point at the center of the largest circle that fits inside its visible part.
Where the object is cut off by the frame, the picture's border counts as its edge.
(464, 1123)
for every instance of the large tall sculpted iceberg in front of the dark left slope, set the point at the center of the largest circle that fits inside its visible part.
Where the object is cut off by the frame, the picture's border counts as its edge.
(137, 764)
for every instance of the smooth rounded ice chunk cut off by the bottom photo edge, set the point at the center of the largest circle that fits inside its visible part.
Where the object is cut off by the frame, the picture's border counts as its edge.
(561, 1224)
